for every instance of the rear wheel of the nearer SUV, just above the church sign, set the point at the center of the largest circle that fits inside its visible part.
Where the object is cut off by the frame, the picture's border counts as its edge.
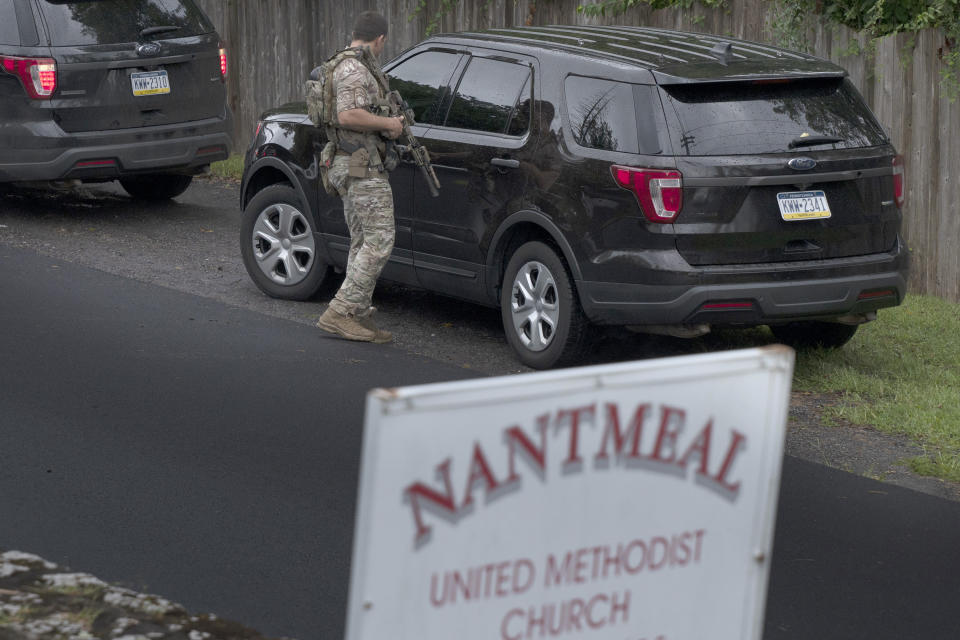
(541, 314)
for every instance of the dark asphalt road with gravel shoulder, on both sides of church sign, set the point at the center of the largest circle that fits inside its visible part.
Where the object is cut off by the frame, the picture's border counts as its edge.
(206, 448)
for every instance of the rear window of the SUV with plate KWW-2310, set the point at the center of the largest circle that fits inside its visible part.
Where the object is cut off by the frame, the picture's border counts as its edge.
(116, 21)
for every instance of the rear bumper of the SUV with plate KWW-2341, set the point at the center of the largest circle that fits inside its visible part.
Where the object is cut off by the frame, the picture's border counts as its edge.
(755, 294)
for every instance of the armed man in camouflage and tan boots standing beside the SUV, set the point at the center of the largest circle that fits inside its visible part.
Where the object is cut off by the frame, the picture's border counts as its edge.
(358, 173)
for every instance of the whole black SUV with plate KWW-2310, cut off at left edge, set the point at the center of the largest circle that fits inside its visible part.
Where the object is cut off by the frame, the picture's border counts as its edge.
(98, 90)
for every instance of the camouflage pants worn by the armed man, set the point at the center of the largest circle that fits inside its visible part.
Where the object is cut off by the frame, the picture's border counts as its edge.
(368, 208)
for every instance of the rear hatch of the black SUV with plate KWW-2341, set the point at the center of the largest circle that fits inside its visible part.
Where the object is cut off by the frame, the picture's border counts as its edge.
(780, 169)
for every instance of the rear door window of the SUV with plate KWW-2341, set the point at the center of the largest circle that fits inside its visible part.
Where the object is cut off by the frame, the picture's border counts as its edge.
(487, 97)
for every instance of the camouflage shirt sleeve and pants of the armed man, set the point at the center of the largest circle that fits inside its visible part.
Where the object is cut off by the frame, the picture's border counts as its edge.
(367, 202)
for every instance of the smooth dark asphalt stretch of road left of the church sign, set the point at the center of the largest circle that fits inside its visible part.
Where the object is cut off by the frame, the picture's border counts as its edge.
(168, 441)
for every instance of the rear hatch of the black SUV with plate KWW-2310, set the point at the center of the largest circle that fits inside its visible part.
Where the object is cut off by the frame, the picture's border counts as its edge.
(132, 63)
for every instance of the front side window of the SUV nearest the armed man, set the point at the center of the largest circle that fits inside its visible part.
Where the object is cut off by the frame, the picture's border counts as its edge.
(422, 81)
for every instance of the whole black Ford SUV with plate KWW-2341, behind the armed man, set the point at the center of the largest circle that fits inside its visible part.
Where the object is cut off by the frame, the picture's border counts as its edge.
(611, 175)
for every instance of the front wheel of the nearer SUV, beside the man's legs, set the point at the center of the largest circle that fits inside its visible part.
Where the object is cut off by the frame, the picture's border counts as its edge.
(279, 247)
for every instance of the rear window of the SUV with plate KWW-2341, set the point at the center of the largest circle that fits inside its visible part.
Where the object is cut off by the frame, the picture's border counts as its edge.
(739, 119)
